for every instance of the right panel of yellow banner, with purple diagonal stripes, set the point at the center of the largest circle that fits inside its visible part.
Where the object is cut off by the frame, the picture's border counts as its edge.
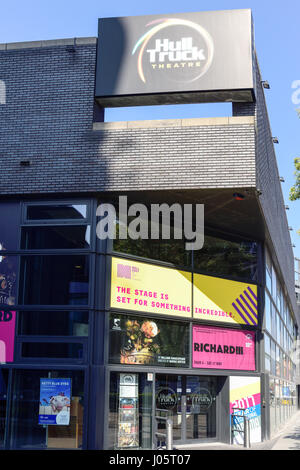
(223, 300)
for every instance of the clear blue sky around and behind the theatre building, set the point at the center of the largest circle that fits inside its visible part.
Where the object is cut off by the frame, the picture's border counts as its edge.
(277, 35)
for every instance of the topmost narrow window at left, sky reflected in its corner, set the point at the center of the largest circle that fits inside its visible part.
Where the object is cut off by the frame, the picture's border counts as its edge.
(56, 211)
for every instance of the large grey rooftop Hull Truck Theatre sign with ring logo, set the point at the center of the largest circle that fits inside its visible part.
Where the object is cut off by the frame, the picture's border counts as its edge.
(188, 57)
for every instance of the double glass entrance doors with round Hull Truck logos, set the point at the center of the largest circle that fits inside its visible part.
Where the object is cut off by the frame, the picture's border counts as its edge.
(190, 401)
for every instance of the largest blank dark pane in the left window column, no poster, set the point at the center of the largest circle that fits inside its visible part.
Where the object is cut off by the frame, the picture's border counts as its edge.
(55, 280)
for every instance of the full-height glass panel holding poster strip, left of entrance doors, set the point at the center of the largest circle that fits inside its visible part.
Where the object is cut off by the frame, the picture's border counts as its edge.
(130, 411)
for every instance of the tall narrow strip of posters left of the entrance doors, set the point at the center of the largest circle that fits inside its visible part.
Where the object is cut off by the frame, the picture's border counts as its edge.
(128, 414)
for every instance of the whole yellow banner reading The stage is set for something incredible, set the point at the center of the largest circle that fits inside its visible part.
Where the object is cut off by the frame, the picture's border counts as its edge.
(148, 288)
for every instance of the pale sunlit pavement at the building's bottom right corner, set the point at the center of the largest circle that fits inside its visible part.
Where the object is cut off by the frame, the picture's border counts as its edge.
(287, 438)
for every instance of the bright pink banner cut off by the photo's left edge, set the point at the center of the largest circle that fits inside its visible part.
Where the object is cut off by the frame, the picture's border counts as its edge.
(7, 336)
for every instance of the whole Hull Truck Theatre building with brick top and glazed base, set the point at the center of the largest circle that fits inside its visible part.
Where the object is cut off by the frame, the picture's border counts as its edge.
(99, 335)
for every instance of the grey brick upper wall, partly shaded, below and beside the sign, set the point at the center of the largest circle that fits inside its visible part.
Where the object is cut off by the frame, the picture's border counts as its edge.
(48, 120)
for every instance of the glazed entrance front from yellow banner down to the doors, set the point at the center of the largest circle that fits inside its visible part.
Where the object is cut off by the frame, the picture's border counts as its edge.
(166, 363)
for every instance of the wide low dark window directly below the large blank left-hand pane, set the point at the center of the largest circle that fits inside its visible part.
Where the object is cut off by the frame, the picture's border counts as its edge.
(53, 323)
